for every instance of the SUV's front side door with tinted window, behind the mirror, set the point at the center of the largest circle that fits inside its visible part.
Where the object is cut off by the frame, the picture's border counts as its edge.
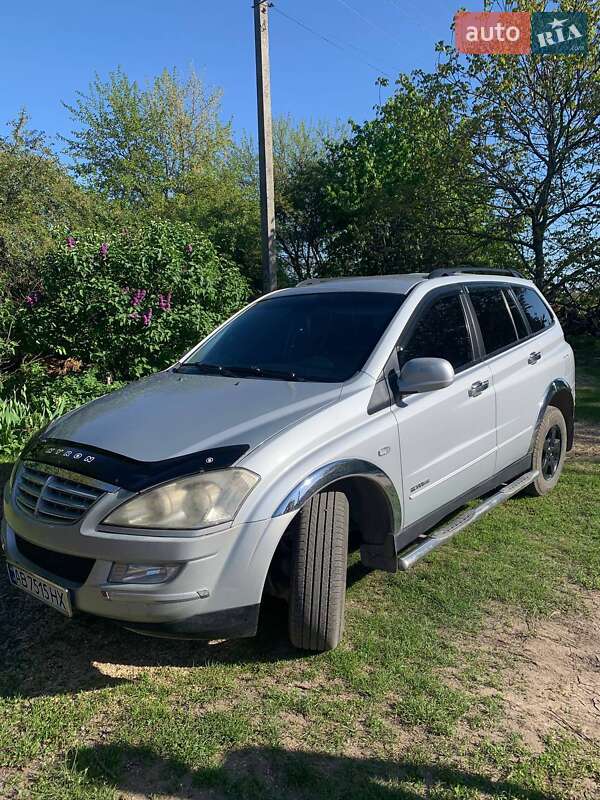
(447, 437)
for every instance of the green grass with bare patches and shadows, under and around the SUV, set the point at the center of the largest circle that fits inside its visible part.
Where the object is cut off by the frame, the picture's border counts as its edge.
(401, 710)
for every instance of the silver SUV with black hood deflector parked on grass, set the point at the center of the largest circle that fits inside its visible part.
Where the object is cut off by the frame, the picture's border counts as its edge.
(361, 410)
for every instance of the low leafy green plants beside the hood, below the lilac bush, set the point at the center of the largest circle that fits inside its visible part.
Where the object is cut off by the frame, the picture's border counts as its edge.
(32, 398)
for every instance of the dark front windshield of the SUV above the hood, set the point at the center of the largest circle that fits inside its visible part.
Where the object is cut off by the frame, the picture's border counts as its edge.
(320, 336)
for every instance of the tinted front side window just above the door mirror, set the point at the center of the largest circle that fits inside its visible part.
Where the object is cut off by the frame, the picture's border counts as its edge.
(441, 332)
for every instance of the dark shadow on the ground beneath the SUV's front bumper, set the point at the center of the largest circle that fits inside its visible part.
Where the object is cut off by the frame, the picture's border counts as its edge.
(43, 653)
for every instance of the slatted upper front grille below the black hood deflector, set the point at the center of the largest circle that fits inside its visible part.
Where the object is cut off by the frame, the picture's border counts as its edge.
(52, 498)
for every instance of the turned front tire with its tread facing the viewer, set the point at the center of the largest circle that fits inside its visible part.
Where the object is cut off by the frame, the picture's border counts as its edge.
(318, 573)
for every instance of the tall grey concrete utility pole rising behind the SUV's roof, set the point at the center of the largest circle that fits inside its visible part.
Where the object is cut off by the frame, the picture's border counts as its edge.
(265, 145)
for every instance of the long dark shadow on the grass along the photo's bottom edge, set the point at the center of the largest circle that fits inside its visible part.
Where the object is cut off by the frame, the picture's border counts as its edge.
(275, 773)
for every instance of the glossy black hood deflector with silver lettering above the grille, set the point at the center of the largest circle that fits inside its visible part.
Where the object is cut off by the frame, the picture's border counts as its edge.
(128, 472)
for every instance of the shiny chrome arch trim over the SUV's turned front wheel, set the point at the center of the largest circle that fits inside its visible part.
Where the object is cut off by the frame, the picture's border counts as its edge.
(330, 473)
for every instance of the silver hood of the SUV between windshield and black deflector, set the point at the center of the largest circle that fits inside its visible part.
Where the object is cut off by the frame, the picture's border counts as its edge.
(171, 414)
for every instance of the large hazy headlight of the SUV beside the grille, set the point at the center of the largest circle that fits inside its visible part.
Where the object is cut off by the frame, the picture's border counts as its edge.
(188, 503)
